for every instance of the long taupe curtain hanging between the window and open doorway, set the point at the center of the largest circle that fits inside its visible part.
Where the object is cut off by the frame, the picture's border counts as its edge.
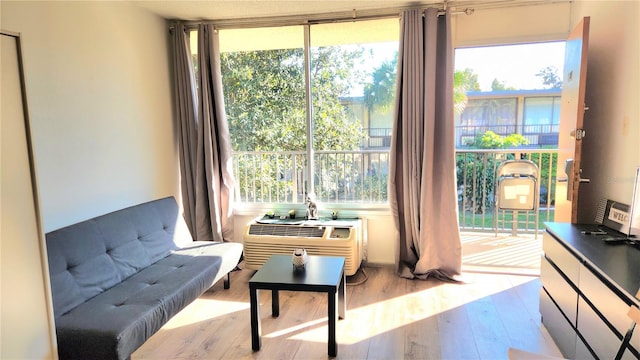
(422, 183)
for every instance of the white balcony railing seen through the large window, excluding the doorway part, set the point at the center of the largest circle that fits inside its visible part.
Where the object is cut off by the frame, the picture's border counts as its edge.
(358, 176)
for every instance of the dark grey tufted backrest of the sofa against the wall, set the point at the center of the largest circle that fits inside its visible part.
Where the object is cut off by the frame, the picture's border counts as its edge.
(90, 257)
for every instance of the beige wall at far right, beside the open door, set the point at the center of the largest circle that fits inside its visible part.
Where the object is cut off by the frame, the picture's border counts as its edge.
(611, 148)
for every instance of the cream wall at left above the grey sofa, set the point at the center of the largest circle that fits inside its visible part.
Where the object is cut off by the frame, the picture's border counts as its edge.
(98, 81)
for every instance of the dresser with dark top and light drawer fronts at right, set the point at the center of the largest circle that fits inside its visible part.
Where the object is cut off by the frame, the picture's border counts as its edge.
(587, 288)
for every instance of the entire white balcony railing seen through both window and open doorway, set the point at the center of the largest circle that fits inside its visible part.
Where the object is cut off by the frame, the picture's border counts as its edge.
(360, 177)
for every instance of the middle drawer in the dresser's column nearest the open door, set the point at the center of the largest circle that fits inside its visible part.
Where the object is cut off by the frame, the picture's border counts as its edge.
(560, 290)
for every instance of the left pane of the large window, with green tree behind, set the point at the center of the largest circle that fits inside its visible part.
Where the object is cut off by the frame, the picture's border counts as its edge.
(264, 81)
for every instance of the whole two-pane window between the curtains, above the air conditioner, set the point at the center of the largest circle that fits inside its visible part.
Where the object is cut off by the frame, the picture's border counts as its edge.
(331, 124)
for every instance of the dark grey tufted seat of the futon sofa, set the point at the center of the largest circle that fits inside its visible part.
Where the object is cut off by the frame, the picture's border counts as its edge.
(115, 323)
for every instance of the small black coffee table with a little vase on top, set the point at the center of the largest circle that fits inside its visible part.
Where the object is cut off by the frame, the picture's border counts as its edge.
(322, 274)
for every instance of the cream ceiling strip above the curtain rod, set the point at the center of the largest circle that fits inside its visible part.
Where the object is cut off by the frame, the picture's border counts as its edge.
(246, 9)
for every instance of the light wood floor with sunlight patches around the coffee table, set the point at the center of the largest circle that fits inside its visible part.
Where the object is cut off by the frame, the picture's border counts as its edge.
(387, 318)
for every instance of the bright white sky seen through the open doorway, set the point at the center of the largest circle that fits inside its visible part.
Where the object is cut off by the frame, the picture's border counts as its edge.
(515, 65)
